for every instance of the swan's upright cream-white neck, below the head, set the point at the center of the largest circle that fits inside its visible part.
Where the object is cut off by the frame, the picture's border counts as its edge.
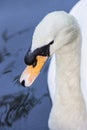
(68, 97)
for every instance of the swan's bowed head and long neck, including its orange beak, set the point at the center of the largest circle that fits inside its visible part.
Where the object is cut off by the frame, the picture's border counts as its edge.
(58, 35)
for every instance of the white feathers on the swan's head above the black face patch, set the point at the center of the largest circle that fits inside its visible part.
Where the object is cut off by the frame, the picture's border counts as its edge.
(52, 27)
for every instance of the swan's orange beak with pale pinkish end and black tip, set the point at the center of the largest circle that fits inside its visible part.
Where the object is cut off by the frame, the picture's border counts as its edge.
(31, 73)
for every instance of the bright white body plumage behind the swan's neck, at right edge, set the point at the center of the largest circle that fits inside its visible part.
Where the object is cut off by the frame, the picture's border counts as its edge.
(79, 11)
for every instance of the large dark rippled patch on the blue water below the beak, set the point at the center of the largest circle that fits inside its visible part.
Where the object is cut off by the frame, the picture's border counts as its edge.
(14, 107)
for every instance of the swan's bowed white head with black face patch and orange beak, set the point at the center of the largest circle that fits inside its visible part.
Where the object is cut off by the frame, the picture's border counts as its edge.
(52, 33)
